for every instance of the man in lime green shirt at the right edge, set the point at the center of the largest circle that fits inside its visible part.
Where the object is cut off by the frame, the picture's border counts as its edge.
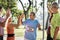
(55, 21)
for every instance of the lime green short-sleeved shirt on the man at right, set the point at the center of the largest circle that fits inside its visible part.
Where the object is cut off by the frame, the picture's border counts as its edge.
(55, 22)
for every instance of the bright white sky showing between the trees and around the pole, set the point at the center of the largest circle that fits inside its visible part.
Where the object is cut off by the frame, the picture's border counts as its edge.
(39, 12)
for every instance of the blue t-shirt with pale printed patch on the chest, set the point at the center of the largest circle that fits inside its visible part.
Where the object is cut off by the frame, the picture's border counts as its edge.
(30, 24)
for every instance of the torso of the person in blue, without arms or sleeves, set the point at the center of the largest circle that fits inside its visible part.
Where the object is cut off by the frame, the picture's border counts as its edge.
(32, 24)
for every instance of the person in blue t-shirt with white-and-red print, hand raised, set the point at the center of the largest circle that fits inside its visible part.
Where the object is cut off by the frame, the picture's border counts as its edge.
(30, 26)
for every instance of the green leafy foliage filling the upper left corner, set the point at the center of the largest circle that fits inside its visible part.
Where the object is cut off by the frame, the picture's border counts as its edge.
(12, 4)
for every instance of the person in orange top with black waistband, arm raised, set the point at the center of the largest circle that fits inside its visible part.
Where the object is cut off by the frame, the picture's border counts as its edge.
(10, 26)
